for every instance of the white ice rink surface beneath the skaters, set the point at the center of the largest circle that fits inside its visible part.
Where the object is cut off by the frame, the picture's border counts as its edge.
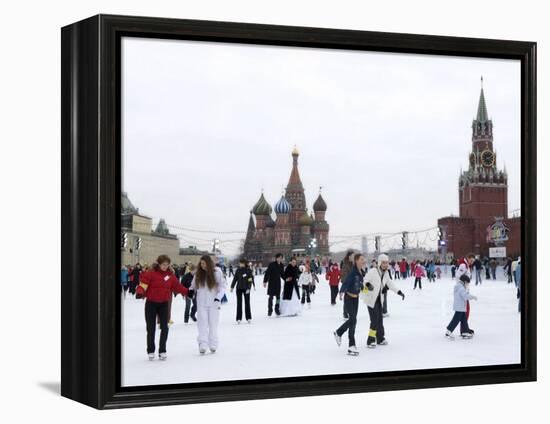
(273, 347)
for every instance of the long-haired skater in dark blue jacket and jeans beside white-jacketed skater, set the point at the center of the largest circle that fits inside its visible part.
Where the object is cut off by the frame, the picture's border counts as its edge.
(349, 292)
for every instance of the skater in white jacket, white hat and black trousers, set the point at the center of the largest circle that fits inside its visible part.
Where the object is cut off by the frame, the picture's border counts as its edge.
(378, 281)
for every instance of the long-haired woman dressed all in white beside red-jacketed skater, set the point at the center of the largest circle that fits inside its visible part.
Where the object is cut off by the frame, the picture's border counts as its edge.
(209, 285)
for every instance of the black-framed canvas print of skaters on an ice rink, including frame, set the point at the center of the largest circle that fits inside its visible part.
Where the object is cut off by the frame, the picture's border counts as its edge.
(255, 211)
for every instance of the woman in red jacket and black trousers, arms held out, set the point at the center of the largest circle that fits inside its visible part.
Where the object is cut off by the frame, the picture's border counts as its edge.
(157, 286)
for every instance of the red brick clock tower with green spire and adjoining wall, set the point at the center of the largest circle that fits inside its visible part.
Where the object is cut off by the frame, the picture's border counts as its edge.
(483, 200)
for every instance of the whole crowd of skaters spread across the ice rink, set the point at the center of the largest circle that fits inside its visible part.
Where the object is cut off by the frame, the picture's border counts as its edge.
(290, 287)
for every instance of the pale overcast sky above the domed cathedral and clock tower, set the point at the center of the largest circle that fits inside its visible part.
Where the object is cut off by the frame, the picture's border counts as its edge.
(207, 126)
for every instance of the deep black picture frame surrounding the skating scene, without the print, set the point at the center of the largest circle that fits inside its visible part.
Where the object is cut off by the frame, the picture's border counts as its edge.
(91, 152)
